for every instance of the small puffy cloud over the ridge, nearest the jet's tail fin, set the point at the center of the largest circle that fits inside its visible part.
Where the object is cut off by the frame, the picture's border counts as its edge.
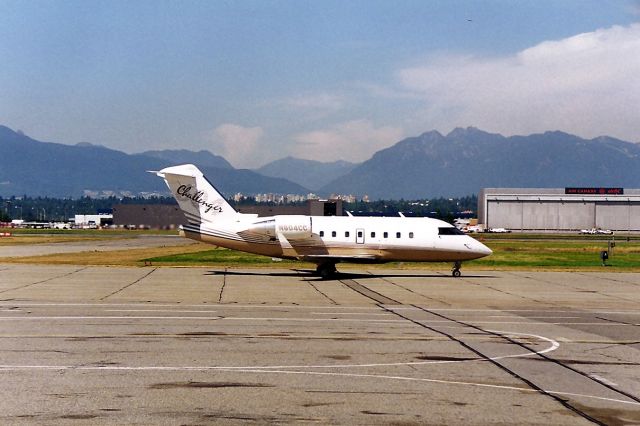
(237, 144)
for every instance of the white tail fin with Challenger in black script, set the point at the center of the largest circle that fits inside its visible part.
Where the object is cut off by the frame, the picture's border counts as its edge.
(197, 197)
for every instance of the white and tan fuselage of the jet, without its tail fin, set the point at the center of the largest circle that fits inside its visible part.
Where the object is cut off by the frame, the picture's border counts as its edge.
(342, 238)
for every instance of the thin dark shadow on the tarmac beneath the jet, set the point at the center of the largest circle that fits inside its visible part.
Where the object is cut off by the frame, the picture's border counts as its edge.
(310, 275)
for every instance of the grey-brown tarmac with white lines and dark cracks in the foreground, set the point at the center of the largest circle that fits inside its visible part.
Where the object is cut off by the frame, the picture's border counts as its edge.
(106, 345)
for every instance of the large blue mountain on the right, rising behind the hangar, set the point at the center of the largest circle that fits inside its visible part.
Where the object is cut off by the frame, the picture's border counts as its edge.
(466, 160)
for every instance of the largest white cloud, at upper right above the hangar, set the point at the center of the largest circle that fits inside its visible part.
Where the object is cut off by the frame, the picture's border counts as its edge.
(587, 84)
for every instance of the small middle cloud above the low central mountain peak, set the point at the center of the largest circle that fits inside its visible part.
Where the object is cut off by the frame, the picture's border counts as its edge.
(352, 141)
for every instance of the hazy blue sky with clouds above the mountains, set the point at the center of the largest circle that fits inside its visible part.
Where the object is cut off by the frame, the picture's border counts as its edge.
(255, 81)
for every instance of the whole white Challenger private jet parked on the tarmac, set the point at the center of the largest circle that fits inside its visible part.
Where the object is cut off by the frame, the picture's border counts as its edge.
(323, 240)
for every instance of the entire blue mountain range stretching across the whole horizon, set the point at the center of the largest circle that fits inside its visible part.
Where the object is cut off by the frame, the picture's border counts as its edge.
(430, 165)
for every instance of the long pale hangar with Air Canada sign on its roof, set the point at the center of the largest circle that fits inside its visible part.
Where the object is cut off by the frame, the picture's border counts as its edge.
(560, 209)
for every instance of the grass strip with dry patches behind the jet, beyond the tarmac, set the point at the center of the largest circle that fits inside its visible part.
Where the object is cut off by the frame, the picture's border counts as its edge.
(510, 251)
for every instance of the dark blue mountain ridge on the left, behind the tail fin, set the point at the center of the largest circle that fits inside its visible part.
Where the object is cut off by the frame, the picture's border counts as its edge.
(35, 168)
